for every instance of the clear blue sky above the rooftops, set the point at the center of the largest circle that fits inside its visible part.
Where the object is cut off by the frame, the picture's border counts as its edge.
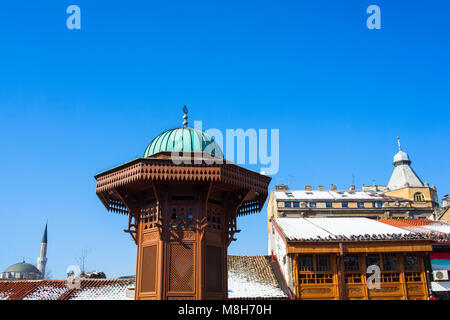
(74, 103)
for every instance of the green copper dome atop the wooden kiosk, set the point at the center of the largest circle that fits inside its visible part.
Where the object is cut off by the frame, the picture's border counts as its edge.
(183, 140)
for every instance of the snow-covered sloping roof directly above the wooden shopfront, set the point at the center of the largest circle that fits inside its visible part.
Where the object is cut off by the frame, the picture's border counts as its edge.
(341, 229)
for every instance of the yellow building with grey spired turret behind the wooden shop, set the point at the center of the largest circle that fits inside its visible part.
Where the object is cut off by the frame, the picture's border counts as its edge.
(405, 196)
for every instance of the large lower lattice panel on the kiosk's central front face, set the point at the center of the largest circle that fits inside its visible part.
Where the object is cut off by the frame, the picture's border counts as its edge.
(181, 262)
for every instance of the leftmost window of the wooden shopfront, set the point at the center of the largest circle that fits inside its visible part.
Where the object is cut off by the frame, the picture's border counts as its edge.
(314, 269)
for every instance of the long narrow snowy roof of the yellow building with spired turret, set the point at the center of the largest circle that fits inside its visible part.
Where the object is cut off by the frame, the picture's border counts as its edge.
(325, 195)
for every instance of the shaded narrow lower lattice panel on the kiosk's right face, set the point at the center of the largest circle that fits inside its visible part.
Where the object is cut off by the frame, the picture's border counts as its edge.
(214, 272)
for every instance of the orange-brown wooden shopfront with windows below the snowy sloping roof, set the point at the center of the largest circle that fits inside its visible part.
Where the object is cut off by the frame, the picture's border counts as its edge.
(339, 270)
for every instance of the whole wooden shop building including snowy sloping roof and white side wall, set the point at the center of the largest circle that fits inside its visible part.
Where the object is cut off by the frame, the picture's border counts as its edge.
(349, 258)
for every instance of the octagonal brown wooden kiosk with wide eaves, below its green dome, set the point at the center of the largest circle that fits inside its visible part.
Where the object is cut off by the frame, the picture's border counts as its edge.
(182, 218)
